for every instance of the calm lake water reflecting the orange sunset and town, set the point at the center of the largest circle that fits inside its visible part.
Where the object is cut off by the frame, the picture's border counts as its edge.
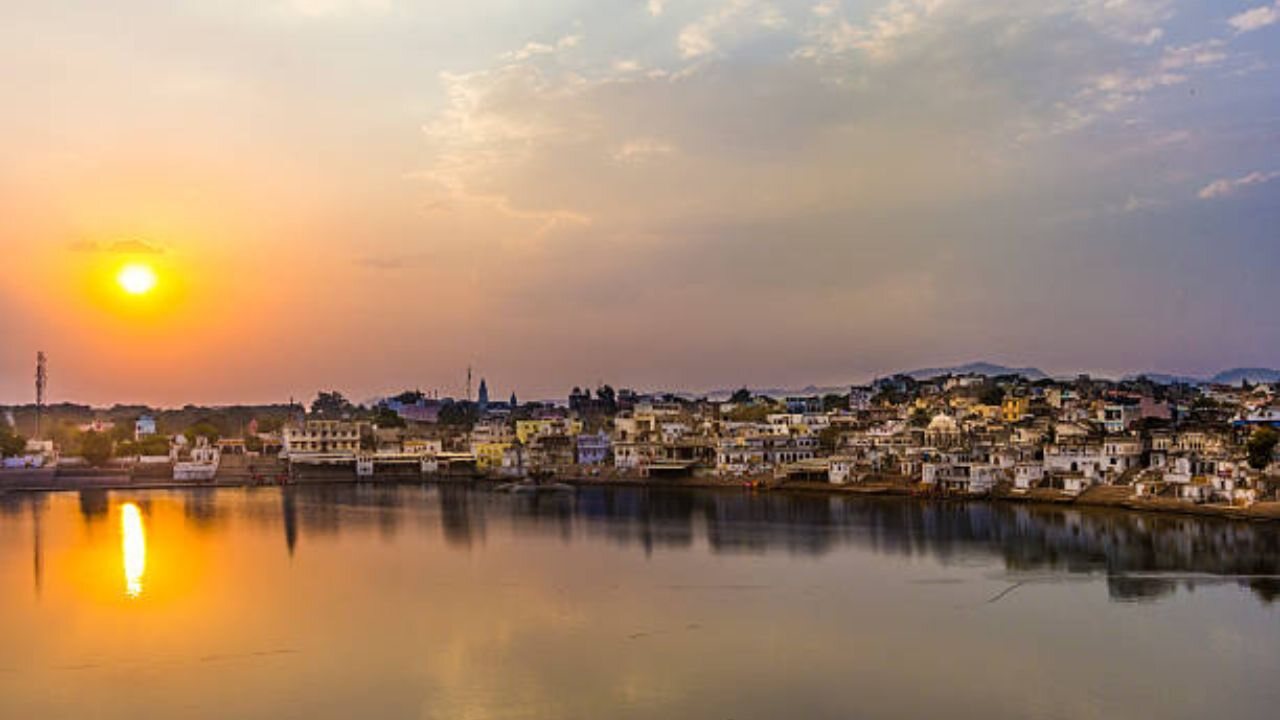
(449, 603)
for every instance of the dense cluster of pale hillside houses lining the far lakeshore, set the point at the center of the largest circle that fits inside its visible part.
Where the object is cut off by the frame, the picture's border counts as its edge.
(962, 435)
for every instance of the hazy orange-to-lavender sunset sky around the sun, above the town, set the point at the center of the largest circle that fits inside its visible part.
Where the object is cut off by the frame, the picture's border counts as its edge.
(373, 194)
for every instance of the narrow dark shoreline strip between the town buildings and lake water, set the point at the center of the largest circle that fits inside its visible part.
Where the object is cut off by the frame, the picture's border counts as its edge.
(1268, 512)
